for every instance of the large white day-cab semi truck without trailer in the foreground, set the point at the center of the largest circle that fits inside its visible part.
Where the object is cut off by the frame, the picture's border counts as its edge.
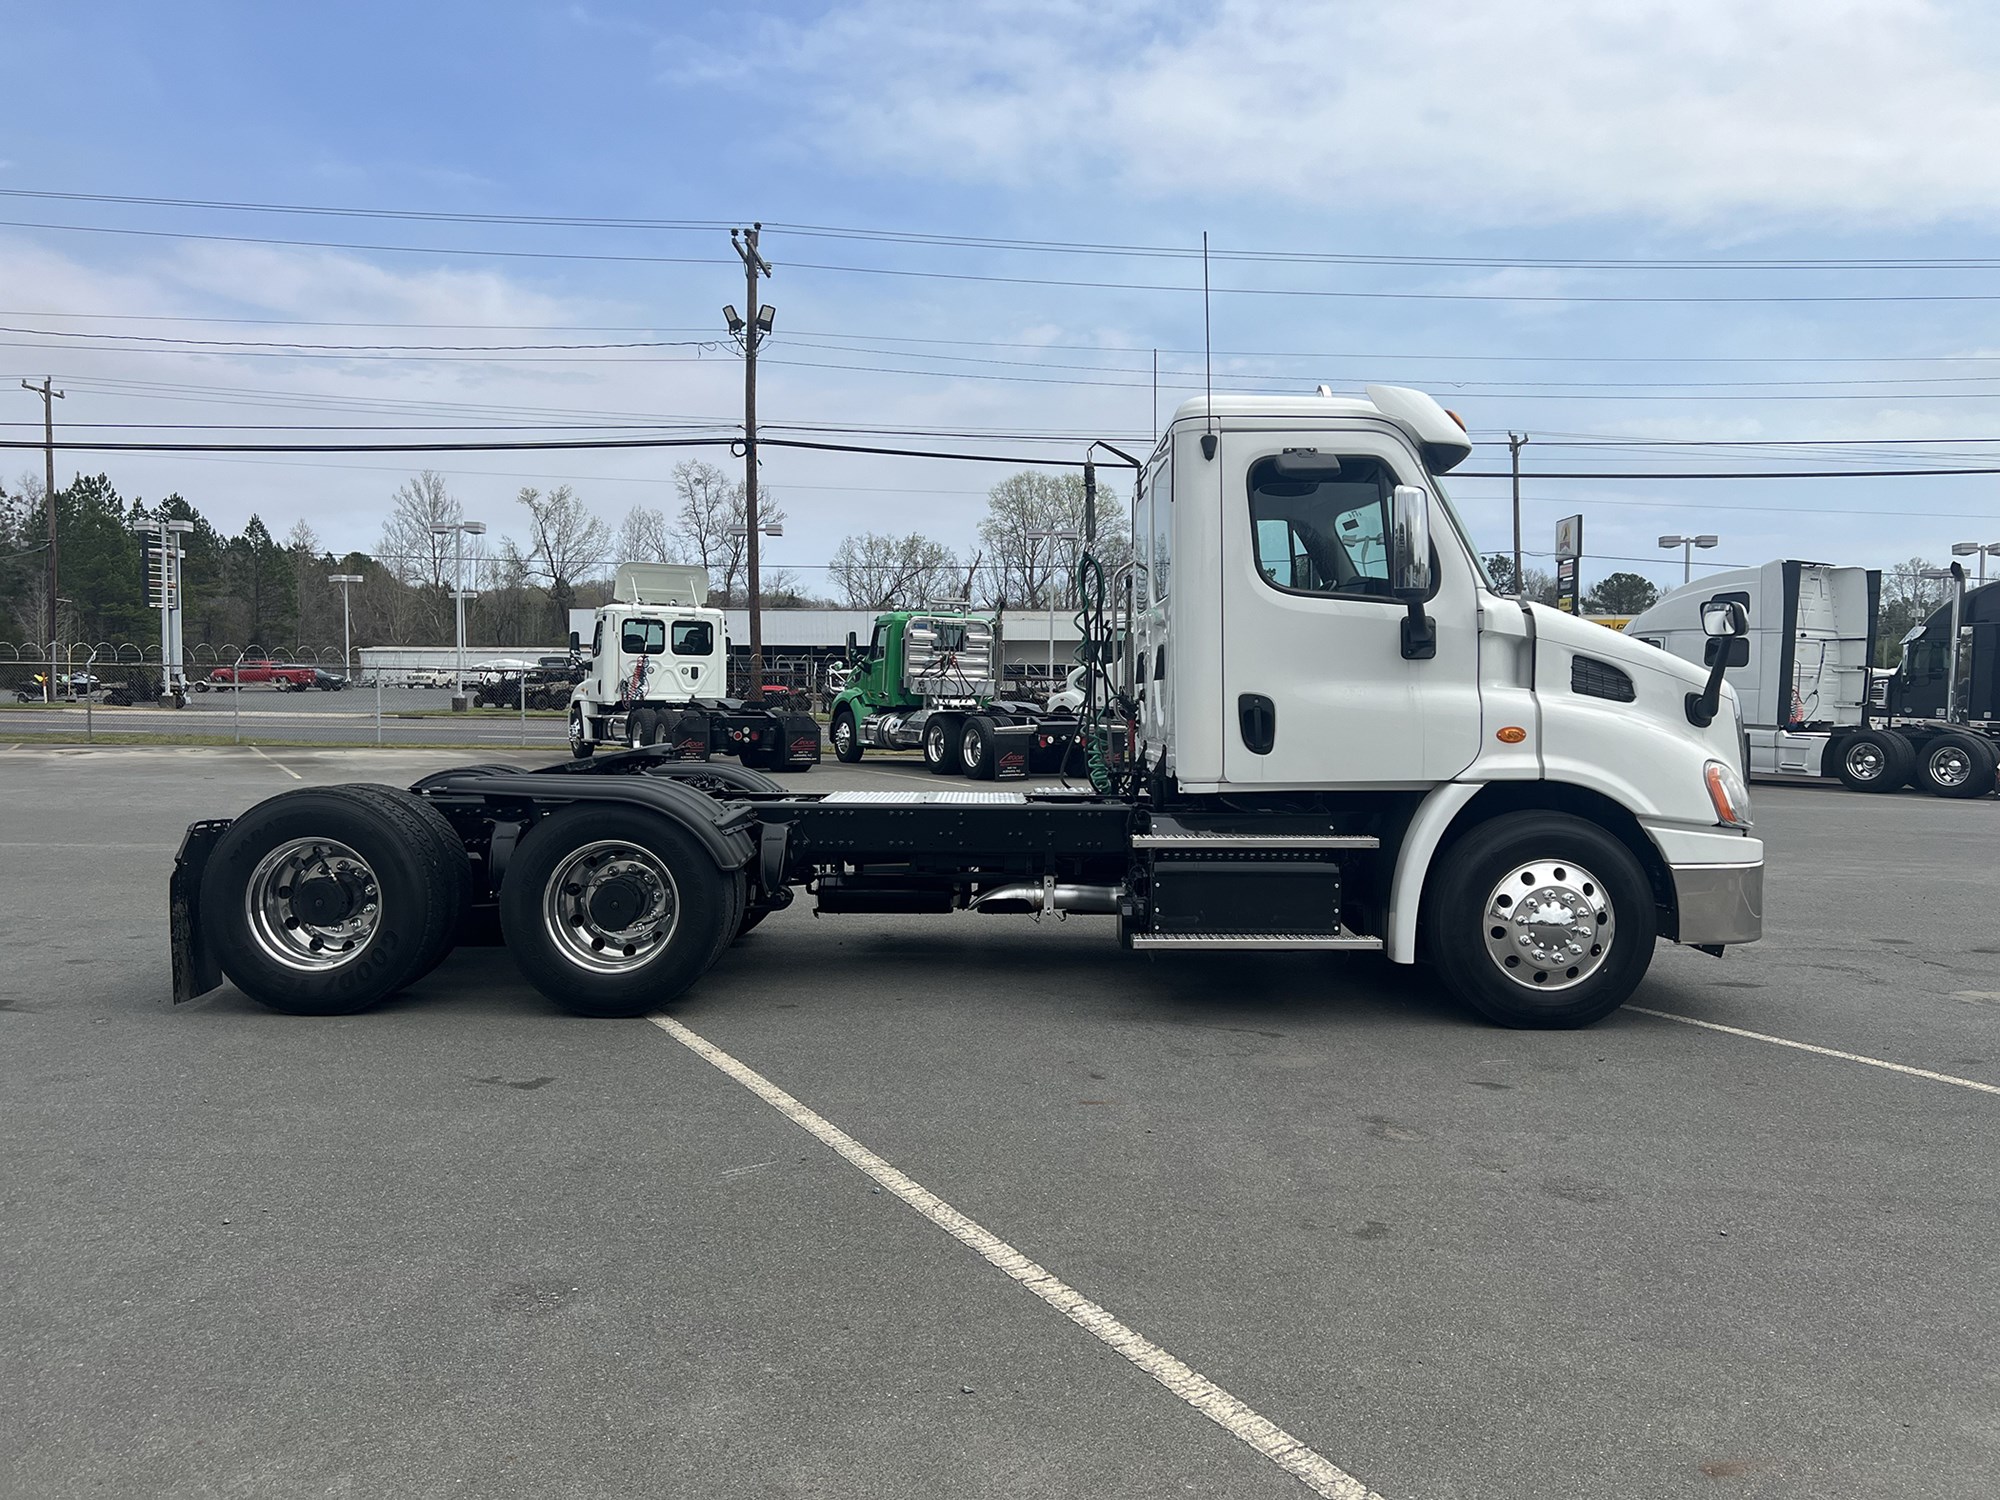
(1341, 741)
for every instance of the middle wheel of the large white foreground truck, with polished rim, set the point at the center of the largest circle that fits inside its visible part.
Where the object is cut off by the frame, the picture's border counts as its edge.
(613, 913)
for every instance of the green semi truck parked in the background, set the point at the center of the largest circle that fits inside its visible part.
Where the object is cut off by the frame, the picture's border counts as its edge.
(933, 681)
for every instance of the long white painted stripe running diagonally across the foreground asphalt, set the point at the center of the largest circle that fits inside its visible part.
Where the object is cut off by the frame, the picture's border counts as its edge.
(1203, 1395)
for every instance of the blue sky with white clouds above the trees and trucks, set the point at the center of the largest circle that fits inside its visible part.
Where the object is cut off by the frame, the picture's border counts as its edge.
(1693, 133)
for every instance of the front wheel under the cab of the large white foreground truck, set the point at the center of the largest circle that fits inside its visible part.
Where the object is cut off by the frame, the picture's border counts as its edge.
(1543, 921)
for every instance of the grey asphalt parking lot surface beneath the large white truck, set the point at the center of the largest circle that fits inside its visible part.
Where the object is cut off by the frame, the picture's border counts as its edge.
(467, 1245)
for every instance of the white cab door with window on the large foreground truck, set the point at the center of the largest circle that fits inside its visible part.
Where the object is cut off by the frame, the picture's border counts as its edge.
(1317, 687)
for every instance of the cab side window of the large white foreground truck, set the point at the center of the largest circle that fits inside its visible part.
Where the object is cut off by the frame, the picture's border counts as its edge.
(1325, 537)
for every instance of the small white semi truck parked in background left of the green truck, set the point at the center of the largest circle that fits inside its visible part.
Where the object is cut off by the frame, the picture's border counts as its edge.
(657, 673)
